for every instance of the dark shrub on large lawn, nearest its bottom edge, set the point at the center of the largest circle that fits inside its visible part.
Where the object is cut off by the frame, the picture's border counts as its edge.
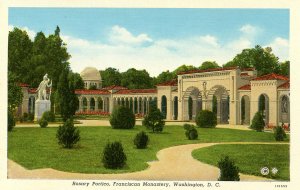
(114, 156)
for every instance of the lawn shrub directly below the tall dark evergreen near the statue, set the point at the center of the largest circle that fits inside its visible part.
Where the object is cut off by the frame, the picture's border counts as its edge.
(67, 134)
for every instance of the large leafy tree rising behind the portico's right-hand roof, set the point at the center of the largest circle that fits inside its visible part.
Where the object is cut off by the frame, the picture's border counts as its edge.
(262, 59)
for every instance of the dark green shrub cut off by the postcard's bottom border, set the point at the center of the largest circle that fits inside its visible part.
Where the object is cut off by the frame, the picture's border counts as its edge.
(228, 170)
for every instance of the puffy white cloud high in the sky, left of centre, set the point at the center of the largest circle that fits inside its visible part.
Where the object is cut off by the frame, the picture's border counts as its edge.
(122, 35)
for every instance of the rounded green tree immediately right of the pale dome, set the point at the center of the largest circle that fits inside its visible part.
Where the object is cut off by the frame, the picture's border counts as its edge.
(110, 76)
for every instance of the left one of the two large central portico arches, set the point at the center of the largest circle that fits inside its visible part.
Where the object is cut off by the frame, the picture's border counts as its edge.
(192, 102)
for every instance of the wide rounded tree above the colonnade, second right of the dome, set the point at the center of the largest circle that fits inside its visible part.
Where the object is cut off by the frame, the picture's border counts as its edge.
(136, 79)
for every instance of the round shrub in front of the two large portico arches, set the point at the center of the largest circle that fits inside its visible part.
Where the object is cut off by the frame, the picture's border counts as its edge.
(206, 119)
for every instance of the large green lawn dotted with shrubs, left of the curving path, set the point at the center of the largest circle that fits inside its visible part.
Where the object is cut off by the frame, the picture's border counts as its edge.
(37, 147)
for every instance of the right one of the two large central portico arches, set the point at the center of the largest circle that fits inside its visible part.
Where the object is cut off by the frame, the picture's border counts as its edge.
(218, 101)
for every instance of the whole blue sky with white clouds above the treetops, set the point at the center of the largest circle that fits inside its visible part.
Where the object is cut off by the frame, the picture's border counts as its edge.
(156, 39)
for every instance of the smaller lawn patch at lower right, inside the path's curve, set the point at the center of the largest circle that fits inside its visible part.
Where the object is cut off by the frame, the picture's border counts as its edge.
(250, 158)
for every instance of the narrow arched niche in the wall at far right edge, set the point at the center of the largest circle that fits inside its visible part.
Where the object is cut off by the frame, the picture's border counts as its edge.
(284, 109)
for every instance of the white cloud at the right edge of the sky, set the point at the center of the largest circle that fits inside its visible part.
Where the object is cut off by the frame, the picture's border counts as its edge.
(280, 47)
